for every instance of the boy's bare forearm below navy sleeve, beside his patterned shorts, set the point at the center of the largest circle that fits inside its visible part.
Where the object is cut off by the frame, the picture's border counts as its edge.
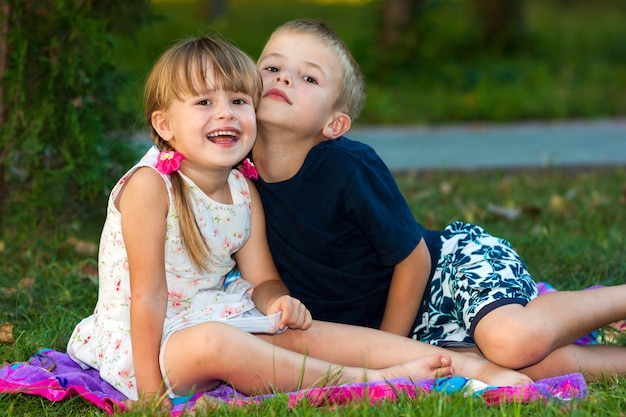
(406, 291)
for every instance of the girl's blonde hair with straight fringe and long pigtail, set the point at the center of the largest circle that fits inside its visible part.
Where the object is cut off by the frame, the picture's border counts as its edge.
(182, 71)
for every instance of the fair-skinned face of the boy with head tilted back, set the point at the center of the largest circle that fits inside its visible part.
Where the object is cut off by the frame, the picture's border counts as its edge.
(301, 78)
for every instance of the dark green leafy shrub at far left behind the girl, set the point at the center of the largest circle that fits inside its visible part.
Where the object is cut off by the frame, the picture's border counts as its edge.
(64, 137)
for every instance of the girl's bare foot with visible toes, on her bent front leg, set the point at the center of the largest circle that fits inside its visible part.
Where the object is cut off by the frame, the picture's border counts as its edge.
(427, 367)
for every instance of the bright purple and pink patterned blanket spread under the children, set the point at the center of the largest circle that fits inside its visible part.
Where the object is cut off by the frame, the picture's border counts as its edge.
(54, 376)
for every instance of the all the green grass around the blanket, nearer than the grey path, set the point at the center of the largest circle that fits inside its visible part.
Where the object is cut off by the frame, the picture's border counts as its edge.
(570, 230)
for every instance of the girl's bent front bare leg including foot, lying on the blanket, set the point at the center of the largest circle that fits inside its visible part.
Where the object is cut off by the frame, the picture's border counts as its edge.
(197, 357)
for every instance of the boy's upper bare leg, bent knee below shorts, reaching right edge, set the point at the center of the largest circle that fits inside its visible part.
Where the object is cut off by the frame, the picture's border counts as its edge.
(518, 336)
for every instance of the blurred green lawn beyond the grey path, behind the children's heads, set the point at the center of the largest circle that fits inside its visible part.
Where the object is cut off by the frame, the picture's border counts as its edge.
(571, 64)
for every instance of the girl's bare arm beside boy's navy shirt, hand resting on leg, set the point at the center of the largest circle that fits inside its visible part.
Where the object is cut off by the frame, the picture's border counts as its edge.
(257, 266)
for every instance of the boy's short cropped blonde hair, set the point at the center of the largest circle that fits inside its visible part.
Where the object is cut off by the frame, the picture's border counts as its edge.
(351, 97)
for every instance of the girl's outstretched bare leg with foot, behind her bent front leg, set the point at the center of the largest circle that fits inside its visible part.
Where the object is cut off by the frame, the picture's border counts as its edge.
(370, 348)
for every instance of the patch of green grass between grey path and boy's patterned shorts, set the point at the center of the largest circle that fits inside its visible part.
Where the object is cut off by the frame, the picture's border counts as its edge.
(571, 230)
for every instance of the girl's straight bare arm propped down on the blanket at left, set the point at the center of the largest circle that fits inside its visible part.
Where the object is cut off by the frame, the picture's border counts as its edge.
(144, 203)
